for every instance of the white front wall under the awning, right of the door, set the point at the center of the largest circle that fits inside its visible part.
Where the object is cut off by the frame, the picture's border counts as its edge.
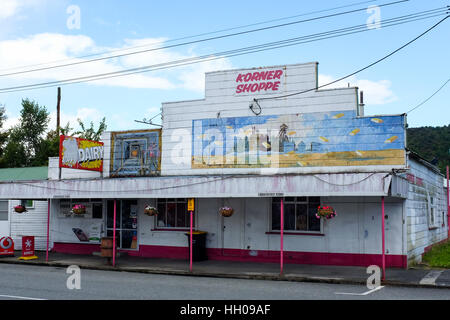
(356, 229)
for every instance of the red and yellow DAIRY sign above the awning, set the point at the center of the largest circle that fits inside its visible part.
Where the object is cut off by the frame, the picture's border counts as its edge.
(77, 153)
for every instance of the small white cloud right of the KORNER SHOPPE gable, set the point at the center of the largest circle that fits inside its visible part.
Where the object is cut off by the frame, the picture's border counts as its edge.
(375, 92)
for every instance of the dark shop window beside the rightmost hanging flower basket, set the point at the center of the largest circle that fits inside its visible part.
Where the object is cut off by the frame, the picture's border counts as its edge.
(299, 214)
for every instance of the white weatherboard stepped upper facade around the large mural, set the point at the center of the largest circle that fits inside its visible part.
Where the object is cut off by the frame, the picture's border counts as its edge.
(222, 101)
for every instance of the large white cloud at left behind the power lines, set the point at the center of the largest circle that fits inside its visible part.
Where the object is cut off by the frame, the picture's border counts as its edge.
(47, 47)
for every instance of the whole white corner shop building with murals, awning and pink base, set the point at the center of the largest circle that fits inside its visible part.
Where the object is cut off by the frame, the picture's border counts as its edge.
(284, 152)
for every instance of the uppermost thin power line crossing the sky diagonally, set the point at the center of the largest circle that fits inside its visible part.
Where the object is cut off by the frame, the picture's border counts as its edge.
(190, 37)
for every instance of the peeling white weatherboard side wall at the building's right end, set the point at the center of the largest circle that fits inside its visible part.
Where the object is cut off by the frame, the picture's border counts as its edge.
(419, 233)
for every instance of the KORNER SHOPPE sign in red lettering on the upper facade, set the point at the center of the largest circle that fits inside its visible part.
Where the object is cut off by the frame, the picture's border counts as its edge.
(260, 82)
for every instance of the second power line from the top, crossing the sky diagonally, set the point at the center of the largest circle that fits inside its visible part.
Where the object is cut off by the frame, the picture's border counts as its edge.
(196, 41)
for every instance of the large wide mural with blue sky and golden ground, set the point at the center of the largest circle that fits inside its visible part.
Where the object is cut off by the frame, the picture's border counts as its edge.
(298, 140)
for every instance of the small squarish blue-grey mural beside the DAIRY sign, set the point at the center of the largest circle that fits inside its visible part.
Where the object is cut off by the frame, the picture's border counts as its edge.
(135, 153)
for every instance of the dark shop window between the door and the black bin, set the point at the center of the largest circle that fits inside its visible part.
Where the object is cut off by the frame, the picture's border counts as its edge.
(172, 213)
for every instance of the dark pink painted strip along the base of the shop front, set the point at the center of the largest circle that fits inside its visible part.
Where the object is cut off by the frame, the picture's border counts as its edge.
(294, 257)
